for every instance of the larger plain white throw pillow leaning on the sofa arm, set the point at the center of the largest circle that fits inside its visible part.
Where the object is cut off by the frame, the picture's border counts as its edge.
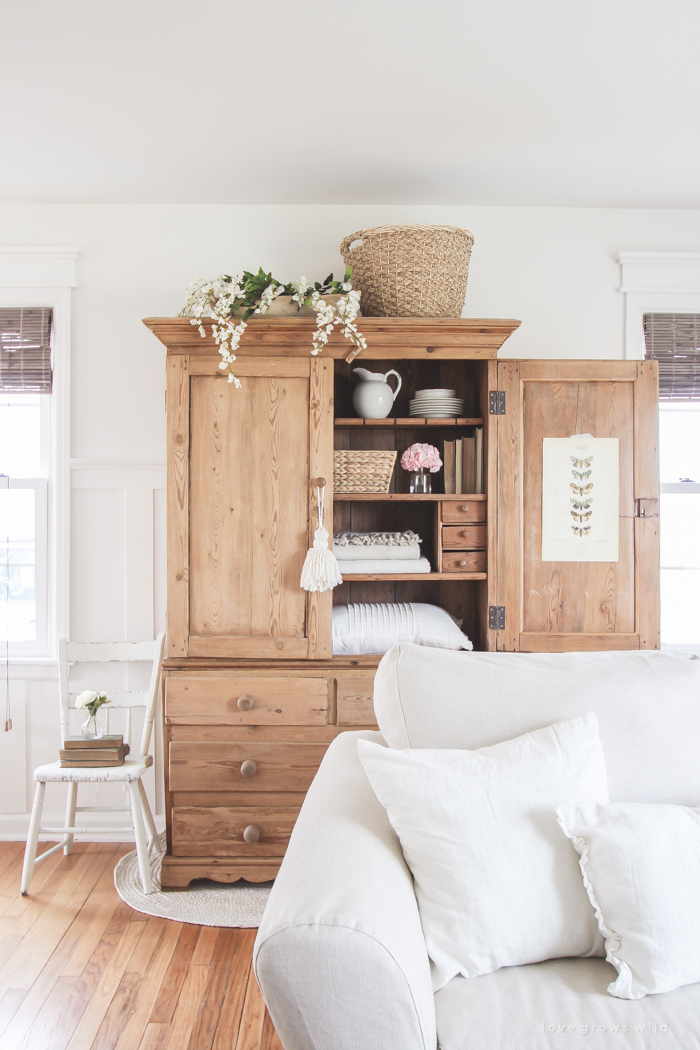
(497, 883)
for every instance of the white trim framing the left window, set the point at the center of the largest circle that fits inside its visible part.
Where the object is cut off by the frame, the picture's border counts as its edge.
(45, 278)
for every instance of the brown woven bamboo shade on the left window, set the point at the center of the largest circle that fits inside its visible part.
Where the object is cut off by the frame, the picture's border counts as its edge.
(26, 349)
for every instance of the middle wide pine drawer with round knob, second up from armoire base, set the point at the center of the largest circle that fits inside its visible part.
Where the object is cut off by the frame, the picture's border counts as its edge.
(245, 766)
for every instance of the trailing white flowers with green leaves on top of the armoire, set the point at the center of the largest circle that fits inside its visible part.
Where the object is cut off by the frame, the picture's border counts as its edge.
(231, 302)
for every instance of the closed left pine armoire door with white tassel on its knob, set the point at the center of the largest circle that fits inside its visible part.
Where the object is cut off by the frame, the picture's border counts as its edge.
(243, 511)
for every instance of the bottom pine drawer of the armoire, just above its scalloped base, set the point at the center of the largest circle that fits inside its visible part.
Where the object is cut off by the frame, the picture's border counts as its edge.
(220, 831)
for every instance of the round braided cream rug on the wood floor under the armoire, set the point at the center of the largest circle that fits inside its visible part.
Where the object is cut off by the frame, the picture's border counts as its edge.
(204, 904)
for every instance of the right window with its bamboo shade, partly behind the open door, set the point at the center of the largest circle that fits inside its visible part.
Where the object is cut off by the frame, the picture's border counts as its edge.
(674, 341)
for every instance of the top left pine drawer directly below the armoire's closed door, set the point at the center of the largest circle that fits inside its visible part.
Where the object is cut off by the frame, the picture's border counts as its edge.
(242, 701)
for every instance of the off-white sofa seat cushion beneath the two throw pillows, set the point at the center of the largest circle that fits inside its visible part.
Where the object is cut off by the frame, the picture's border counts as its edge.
(563, 1005)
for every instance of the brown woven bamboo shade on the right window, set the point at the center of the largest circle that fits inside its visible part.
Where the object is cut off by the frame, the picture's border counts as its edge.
(674, 342)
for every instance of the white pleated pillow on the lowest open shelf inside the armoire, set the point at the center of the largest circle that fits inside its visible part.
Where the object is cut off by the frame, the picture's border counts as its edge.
(376, 628)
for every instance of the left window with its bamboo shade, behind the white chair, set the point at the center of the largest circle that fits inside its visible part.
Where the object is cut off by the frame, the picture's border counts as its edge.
(26, 383)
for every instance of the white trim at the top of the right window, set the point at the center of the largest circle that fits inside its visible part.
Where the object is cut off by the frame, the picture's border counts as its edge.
(656, 283)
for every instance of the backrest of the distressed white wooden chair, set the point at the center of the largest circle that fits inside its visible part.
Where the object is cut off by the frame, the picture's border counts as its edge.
(109, 653)
